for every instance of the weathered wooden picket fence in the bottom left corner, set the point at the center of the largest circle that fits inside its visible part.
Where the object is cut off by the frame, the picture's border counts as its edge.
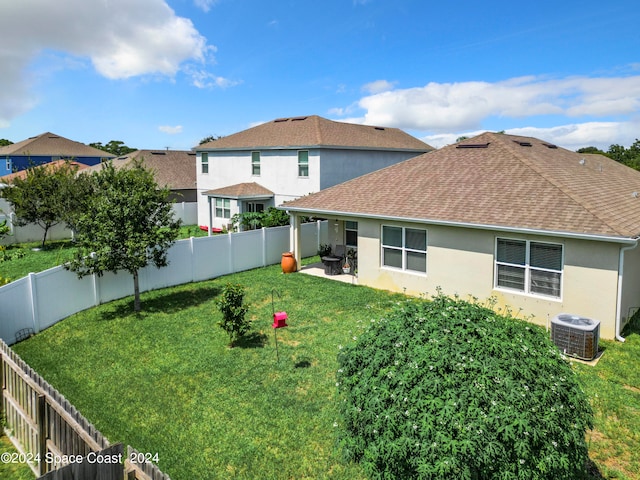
(50, 433)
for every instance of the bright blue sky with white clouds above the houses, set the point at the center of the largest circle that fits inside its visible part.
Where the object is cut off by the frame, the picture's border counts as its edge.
(167, 73)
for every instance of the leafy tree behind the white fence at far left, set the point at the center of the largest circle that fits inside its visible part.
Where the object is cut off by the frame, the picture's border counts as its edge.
(39, 197)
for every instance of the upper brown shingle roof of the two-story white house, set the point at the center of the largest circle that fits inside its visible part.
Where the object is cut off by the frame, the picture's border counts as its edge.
(315, 131)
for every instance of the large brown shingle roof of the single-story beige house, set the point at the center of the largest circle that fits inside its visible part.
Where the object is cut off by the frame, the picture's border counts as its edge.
(497, 180)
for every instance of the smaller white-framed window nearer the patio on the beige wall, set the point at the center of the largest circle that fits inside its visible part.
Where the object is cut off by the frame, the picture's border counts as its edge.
(404, 248)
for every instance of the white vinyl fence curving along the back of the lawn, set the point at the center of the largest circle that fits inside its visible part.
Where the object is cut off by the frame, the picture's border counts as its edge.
(43, 299)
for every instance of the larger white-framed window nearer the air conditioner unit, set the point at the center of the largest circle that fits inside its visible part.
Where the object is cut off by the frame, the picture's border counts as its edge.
(529, 267)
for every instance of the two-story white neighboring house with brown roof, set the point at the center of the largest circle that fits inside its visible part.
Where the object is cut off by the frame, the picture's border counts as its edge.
(286, 158)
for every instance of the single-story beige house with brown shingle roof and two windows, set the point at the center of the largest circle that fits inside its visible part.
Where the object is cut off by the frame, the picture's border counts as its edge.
(541, 229)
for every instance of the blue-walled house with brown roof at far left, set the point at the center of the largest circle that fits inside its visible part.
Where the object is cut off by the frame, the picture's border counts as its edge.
(45, 148)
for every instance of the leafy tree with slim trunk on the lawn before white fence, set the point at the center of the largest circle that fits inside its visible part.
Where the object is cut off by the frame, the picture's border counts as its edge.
(128, 224)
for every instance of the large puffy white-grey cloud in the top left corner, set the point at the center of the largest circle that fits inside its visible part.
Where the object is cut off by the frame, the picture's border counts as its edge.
(122, 39)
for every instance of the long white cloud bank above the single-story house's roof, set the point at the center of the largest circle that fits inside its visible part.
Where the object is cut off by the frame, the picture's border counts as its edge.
(446, 107)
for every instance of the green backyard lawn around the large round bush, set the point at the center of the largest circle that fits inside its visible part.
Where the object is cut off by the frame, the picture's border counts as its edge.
(165, 381)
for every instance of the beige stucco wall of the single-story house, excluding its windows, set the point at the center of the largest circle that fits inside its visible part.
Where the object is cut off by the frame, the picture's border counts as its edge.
(461, 261)
